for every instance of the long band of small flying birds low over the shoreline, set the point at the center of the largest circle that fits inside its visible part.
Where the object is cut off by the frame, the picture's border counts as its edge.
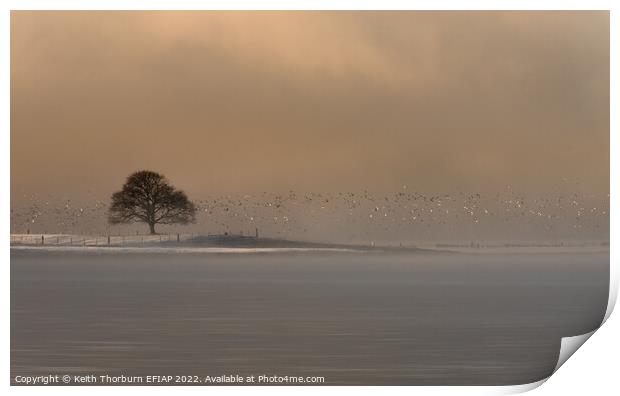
(349, 215)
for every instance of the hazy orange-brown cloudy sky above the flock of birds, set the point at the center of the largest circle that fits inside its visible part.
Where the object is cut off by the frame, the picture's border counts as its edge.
(245, 102)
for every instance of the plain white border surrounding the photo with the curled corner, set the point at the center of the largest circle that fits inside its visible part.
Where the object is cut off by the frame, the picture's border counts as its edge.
(594, 369)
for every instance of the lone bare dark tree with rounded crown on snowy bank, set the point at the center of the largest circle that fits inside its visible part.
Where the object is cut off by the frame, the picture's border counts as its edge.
(147, 197)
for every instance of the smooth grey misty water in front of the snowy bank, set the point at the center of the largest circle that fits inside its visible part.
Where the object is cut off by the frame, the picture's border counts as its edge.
(400, 318)
